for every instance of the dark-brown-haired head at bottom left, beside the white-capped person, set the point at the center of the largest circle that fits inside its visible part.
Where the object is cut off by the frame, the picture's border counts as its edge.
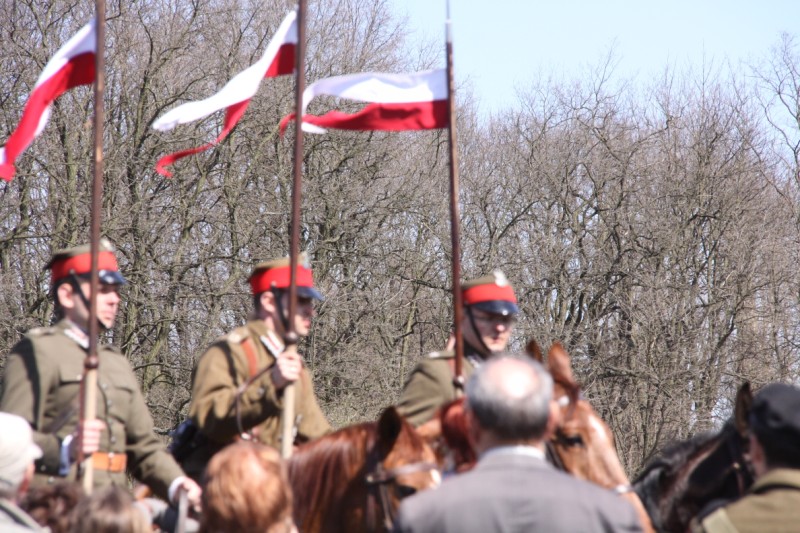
(52, 505)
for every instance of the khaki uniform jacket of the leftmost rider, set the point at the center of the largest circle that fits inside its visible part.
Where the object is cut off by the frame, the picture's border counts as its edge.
(42, 383)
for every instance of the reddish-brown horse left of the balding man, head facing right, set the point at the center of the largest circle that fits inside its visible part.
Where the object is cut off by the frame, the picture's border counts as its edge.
(353, 480)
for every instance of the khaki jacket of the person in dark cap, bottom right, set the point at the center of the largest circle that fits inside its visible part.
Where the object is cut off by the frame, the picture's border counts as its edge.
(771, 505)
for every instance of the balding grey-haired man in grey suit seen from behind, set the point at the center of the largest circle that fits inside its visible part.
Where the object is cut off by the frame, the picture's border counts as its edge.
(512, 488)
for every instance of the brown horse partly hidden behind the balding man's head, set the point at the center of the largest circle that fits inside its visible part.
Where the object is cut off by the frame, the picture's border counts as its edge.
(582, 445)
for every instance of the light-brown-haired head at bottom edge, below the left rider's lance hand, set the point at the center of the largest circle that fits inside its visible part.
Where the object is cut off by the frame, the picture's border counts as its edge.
(109, 510)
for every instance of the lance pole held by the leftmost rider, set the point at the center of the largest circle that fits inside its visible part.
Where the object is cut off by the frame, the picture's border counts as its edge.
(91, 363)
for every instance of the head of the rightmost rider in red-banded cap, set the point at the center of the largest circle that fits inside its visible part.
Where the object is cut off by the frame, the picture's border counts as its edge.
(490, 312)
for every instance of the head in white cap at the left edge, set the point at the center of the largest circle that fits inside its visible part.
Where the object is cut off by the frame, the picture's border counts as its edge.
(17, 455)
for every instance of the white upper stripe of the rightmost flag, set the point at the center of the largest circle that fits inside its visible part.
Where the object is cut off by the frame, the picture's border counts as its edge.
(426, 86)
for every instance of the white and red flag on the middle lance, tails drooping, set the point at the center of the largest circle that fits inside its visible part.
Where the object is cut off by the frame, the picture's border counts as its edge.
(278, 59)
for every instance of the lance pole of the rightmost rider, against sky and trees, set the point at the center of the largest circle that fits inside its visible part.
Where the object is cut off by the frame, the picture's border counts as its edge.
(455, 224)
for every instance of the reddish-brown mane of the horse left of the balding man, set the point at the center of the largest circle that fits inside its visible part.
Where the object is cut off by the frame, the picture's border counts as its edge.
(322, 471)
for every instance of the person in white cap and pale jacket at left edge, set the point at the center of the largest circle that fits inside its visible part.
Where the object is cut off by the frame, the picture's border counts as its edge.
(17, 454)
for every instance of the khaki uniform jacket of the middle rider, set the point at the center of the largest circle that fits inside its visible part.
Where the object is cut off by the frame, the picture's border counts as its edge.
(217, 376)
